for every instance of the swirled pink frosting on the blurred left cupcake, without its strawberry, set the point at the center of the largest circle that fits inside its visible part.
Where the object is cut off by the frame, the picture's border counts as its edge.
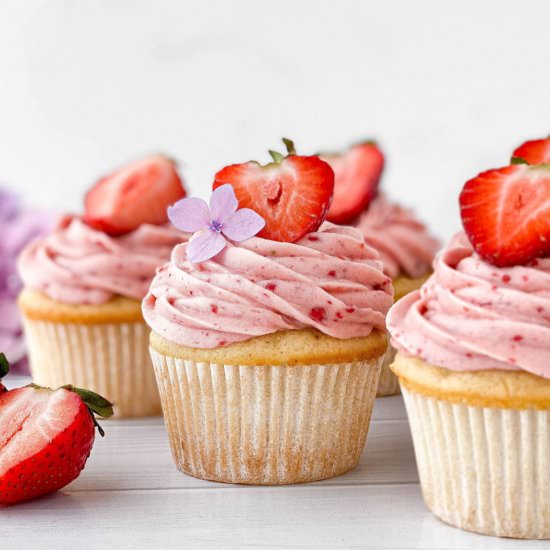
(79, 265)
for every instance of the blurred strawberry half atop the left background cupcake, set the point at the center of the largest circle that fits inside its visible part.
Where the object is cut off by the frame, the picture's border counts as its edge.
(133, 195)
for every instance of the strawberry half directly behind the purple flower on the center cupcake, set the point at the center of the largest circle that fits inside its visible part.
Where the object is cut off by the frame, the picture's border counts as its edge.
(292, 194)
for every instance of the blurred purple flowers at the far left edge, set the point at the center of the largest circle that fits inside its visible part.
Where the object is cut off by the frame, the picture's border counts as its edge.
(18, 226)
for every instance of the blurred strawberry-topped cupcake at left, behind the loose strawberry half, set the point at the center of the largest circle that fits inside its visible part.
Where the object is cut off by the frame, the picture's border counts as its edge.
(83, 286)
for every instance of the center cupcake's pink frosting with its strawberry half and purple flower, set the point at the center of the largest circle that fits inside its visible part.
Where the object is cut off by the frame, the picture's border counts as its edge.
(227, 285)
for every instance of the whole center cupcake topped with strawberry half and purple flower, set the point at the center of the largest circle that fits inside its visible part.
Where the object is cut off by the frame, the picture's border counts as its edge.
(267, 349)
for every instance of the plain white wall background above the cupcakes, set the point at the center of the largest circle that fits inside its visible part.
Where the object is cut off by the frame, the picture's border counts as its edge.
(448, 88)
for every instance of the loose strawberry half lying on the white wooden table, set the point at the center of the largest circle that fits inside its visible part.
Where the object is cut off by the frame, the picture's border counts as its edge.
(45, 439)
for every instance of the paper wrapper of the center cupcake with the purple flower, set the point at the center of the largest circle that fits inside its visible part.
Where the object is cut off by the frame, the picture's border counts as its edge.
(267, 425)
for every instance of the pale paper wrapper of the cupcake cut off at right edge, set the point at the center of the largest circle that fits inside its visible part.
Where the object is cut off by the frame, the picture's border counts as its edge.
(483, 469)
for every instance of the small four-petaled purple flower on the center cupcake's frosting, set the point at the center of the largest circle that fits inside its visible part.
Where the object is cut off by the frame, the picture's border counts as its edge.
(215, 224)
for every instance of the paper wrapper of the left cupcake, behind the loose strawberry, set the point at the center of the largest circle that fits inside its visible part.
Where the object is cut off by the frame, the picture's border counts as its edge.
(111, 359)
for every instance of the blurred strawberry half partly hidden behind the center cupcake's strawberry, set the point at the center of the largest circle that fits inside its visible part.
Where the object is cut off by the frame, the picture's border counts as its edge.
(356, 176)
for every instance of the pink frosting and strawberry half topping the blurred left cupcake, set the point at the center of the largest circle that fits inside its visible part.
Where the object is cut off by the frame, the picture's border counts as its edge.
(116, 246)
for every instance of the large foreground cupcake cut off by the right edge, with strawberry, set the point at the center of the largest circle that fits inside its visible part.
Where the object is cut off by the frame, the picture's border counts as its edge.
(473, 361)
